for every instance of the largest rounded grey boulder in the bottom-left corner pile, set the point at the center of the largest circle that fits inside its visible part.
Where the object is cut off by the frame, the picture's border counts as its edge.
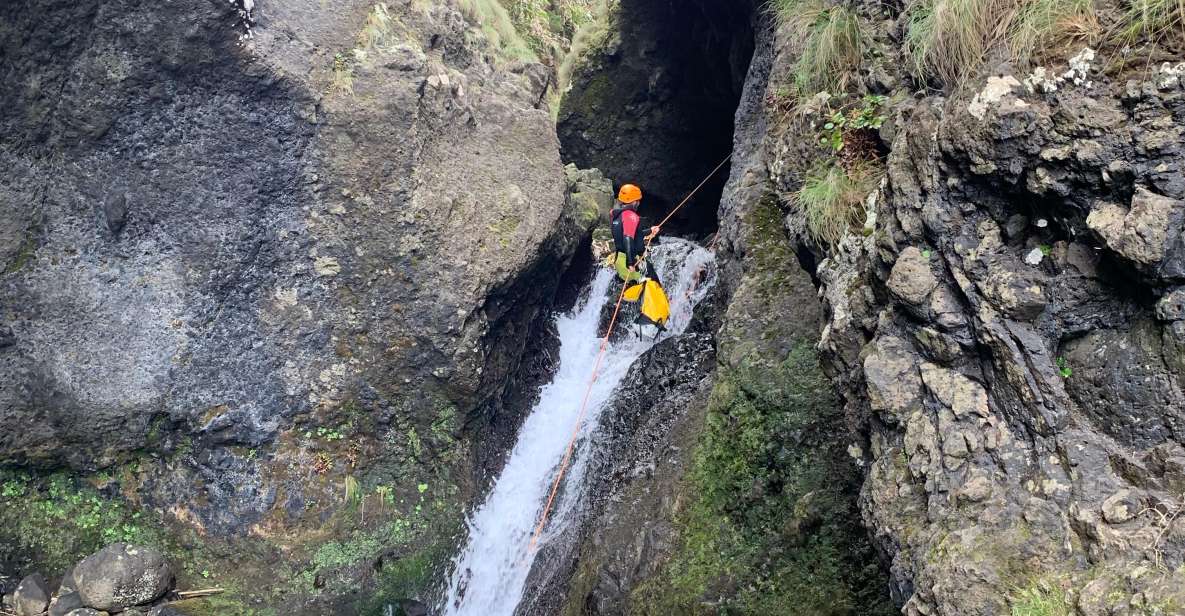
(120, 576)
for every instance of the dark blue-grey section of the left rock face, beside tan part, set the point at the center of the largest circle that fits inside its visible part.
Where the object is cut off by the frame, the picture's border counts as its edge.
(151, 177)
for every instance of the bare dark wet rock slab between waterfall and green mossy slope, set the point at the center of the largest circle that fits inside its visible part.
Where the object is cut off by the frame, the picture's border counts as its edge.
(631, 484)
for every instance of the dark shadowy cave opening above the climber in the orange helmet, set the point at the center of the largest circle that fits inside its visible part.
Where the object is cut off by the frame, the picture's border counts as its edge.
(654, 104)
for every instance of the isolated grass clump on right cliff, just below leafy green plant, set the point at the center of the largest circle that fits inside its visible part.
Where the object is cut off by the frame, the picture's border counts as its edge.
(832, 197)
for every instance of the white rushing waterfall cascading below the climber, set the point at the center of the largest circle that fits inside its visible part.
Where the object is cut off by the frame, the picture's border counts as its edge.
(491, 572)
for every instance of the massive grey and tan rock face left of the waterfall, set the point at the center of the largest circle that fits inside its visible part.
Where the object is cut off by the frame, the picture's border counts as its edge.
(212, 239)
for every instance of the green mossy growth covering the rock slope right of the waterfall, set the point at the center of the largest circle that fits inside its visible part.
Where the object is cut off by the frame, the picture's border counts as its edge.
(770, 528)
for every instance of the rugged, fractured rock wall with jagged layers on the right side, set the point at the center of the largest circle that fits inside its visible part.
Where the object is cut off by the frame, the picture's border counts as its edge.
(1010, 341)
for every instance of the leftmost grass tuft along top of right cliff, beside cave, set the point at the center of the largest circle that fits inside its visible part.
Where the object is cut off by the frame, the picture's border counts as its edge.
(832, 52)
